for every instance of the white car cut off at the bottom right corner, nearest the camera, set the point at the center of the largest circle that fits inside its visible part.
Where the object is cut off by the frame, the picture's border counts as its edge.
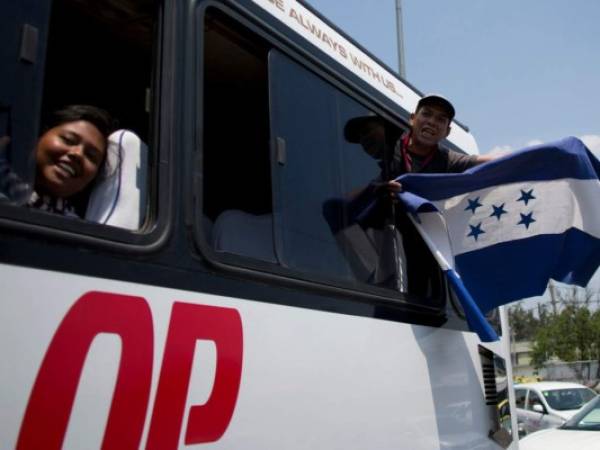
(580, 432)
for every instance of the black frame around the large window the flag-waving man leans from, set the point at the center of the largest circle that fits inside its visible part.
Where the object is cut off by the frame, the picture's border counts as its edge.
(254, 268)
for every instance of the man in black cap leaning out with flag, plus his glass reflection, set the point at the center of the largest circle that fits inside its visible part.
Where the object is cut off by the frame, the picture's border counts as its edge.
(417, 150)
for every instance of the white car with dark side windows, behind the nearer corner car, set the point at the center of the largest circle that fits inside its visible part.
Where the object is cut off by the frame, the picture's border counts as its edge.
(548, 404)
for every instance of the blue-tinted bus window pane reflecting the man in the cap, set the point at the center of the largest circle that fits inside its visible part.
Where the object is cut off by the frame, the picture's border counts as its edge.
(336, 152)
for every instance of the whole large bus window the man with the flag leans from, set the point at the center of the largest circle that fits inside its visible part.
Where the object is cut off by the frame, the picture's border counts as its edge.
(285, 184)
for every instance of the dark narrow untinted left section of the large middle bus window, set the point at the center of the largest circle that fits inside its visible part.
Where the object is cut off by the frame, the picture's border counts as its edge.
(237, 207)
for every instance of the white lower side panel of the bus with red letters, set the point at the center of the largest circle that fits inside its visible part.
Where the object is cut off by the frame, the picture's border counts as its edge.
(226, 372)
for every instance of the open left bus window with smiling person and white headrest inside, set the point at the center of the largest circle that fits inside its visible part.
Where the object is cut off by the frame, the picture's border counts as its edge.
(63, 159)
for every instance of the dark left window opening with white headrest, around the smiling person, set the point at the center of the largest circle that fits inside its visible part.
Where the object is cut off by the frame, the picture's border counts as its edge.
(82, 52)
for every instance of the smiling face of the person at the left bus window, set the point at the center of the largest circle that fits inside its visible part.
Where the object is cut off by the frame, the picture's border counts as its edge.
(68, 157)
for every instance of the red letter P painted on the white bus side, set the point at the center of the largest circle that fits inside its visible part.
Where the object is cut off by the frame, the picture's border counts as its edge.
(207, 422)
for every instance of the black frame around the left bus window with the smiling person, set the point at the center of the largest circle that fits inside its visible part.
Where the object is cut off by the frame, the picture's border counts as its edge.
(155, 231)
